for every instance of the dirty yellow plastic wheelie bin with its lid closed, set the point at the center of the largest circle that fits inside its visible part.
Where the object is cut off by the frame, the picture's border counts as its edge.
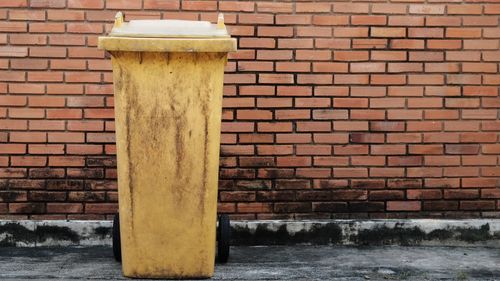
(168, 80)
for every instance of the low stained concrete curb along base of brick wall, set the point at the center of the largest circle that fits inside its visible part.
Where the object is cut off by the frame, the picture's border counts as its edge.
(425, 232)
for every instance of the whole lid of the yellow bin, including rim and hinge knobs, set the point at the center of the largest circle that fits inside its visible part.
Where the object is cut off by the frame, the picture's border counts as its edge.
(168, 36)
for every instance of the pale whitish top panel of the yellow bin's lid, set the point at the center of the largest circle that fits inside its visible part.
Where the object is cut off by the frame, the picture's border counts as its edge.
(168, 29)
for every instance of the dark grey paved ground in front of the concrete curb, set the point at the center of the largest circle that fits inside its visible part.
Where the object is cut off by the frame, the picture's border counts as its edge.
(272, 263)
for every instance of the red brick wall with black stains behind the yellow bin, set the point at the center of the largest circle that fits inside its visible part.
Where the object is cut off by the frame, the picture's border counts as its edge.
(332, 108)
